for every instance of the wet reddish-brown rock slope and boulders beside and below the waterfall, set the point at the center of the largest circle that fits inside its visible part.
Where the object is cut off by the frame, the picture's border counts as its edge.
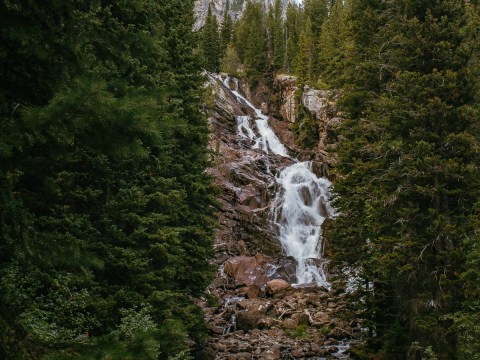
(253, 311)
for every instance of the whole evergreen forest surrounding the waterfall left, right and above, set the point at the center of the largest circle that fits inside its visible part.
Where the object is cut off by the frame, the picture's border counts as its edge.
(107, 215)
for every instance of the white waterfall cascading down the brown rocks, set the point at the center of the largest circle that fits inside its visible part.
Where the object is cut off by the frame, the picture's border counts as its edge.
(302, 202)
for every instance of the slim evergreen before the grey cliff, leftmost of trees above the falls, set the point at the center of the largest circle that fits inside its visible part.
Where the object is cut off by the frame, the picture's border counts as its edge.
(211, 42)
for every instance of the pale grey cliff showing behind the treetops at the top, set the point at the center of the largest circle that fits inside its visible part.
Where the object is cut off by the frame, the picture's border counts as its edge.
(218, 7)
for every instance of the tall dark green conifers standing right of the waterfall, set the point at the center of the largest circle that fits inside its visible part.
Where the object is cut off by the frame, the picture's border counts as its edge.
(409, 170)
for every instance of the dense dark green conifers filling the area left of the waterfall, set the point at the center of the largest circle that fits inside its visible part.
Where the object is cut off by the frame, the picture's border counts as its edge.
(105, 209)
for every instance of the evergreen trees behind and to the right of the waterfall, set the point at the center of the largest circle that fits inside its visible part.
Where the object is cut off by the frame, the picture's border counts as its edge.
(408, 174)
